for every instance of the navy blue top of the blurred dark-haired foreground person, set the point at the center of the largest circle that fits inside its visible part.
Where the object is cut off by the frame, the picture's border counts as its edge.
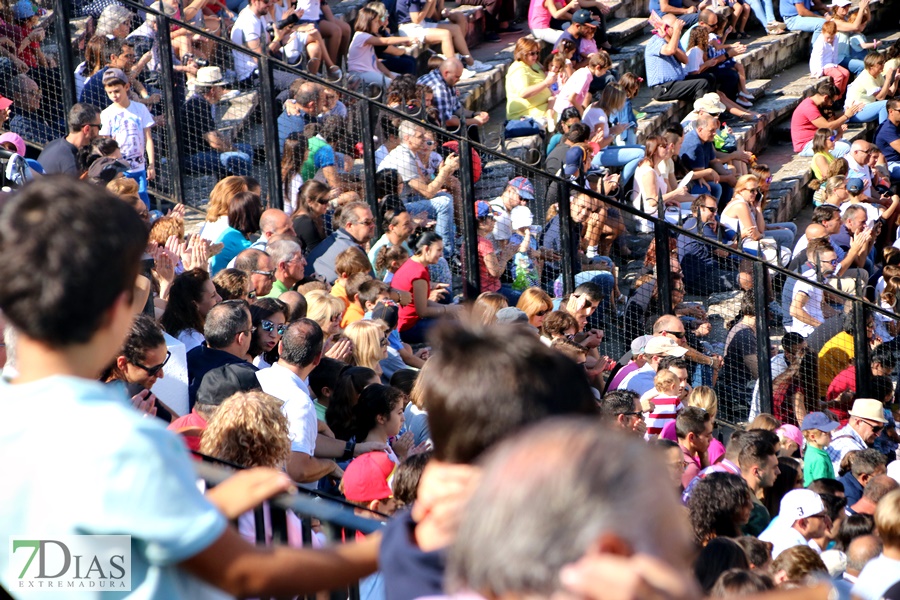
(409, 573)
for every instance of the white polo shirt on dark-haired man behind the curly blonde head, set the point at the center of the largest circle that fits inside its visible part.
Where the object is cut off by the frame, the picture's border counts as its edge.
(298, 405)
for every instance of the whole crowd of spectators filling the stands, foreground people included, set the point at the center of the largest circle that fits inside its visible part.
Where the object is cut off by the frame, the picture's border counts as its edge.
(484, 430)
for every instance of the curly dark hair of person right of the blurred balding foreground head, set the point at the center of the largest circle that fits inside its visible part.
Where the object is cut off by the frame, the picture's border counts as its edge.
(716, 504)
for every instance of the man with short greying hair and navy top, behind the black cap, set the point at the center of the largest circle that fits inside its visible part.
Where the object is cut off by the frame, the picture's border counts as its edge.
(227, 331)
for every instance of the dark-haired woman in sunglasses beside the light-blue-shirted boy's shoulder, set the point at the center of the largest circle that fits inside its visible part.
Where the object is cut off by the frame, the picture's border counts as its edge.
(140, 364)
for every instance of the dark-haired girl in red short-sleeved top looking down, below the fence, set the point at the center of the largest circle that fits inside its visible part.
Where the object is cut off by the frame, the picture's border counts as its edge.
(412, 276)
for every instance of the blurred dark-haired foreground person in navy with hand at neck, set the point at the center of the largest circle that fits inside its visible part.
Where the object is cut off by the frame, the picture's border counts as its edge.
(529, 382)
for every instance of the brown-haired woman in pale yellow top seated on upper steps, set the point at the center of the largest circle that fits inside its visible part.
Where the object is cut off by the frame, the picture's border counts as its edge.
(528, 92)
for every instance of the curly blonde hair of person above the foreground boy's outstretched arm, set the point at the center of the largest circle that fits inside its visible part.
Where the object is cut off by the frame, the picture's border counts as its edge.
(249, 429)
